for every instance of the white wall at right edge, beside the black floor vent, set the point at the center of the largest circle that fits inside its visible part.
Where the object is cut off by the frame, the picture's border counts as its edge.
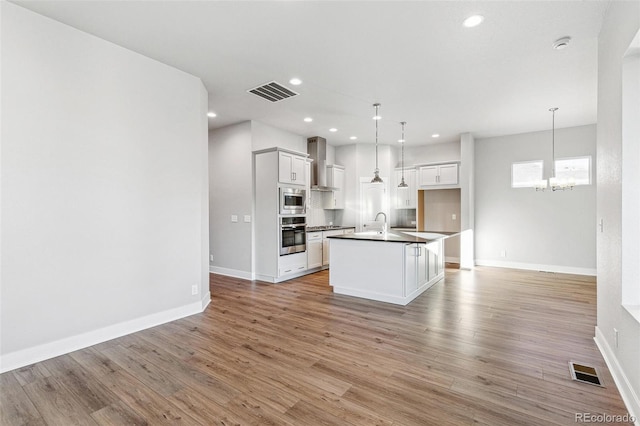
(621, 23)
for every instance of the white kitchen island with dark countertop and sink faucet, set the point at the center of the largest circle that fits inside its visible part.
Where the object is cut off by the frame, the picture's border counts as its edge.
(394, 267)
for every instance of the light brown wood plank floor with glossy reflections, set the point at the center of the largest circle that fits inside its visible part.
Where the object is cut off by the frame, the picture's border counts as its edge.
(489, 346)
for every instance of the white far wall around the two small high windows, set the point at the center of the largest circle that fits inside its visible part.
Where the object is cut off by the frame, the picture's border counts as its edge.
(551, 231)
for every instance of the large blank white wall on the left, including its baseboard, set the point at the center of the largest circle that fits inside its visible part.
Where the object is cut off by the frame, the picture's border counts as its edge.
(104, 208)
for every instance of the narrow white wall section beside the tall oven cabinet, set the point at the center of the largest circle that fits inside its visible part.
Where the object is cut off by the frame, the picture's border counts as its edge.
(230, 193)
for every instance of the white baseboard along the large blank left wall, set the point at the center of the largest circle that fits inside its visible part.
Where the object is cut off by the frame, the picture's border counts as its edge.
(28, 356)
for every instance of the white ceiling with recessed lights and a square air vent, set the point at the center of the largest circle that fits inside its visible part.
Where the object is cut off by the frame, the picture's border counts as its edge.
(415, 58)
